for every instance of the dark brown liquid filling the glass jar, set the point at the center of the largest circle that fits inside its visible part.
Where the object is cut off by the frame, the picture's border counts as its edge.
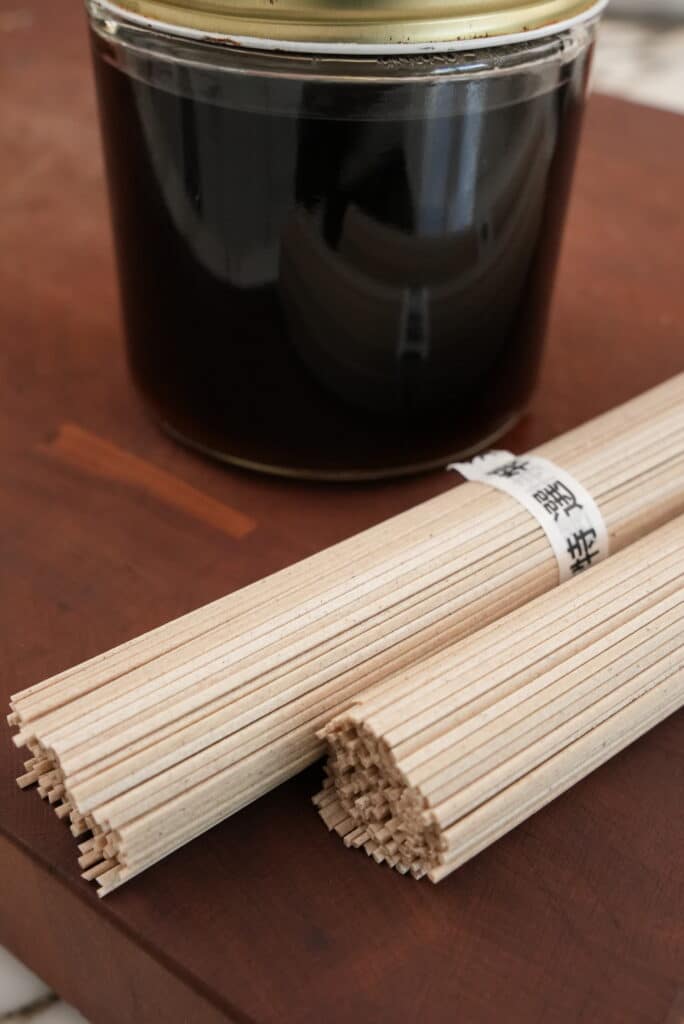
(339, 294)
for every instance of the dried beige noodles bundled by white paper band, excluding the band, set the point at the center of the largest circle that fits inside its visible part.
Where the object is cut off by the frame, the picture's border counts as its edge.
(149, 746)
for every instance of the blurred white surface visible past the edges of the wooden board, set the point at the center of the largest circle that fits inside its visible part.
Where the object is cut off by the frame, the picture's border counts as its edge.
(643, 63)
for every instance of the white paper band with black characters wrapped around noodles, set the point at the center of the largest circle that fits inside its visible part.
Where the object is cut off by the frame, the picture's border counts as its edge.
(568, 514)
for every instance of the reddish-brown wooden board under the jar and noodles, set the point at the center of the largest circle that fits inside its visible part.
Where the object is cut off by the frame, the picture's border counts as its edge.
(109, 530)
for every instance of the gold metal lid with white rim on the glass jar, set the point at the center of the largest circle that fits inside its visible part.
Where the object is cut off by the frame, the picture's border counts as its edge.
(380, 26)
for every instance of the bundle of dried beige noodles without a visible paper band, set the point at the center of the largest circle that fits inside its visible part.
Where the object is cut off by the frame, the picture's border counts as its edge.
(437, 763)
